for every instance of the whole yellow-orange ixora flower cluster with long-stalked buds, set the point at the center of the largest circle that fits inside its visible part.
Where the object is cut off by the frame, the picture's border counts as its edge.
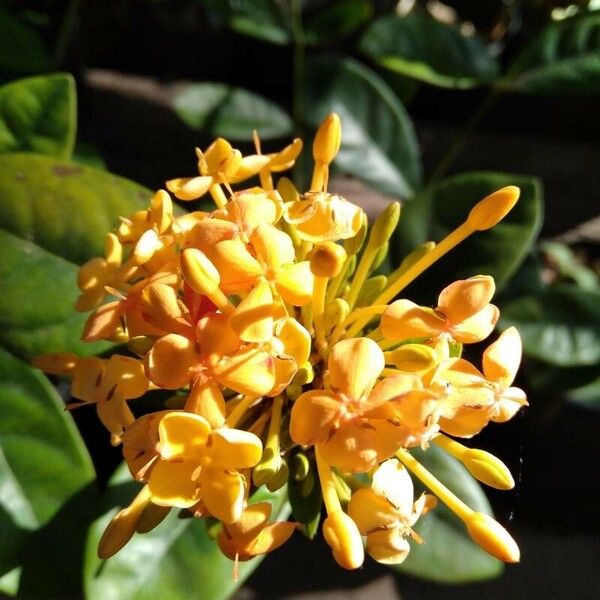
(289, 361)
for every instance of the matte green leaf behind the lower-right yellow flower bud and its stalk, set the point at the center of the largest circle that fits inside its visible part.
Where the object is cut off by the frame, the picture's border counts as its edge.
(448, 554)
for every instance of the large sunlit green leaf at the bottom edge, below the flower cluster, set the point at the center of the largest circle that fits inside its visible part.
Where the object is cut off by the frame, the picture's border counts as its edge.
(177, 560)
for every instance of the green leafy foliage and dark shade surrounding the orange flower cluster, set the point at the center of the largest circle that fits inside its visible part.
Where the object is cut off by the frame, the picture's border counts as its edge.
(153, 78)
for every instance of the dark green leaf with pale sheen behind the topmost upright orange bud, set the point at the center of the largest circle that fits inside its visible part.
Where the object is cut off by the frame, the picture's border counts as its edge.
(379, 144)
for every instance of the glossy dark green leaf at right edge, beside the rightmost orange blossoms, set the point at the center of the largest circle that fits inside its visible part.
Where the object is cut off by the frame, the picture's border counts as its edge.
(559, 326)
